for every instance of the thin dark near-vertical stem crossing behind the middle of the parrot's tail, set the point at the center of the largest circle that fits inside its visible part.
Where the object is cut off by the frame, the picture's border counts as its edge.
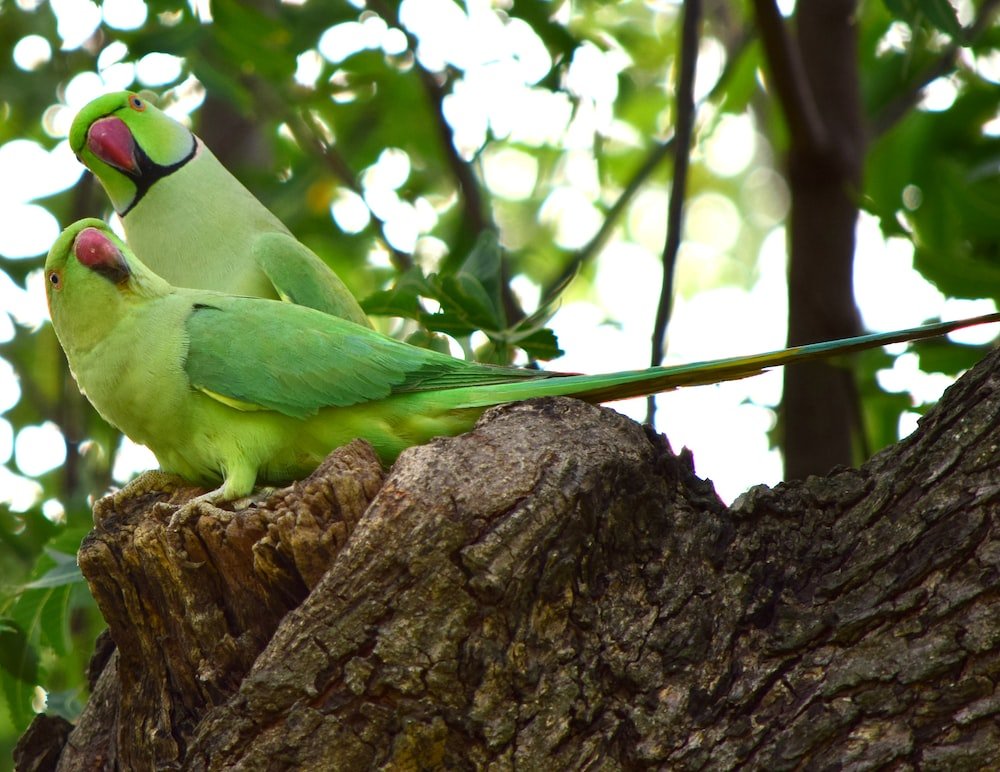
(682, 144)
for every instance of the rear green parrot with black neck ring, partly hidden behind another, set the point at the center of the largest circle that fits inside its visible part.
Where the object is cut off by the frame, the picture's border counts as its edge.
(189, 219)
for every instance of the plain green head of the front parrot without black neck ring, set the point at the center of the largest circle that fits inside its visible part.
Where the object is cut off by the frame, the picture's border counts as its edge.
(91, 279)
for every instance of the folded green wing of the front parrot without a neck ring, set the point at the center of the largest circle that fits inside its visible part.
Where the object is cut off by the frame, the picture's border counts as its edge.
(259, 355)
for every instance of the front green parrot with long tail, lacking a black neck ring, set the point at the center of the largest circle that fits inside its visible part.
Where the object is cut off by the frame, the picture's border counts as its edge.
(245, 390)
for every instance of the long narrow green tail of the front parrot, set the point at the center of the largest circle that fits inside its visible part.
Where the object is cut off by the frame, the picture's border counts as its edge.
(653, 380)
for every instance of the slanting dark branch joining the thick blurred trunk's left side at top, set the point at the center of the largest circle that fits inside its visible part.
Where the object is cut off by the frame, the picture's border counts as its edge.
(789, 78)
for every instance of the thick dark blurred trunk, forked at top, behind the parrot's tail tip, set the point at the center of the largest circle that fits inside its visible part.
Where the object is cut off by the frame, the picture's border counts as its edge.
(817, 82)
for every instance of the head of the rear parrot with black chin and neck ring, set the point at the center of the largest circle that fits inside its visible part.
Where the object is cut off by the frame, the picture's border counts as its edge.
(129, 144)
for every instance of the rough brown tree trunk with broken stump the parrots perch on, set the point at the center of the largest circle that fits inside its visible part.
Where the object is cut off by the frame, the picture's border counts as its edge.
(557, 589)
